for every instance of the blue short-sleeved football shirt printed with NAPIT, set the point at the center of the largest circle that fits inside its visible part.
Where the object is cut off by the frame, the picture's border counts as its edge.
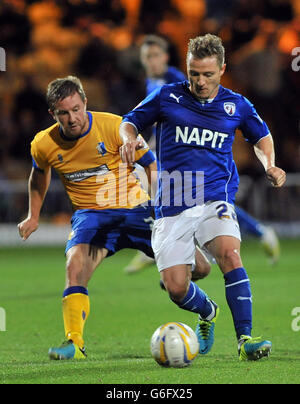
(194, 144)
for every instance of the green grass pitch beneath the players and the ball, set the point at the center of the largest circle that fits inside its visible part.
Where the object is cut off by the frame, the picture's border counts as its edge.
(125, 311)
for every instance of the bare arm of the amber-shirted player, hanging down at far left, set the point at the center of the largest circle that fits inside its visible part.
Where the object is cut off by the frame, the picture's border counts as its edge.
(38, 185)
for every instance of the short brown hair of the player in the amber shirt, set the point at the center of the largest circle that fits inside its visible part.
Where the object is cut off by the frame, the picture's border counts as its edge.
(62, 88)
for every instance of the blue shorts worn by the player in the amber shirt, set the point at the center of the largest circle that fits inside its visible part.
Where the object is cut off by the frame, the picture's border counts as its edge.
(113, 229)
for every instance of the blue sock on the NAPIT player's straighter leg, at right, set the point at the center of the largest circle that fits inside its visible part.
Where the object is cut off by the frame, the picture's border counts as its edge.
(239, 299)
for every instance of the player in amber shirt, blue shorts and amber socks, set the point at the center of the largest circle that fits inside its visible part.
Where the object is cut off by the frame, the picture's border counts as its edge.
(111, 208)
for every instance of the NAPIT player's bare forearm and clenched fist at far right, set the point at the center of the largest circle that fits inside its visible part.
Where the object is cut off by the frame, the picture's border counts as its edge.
(264, 150)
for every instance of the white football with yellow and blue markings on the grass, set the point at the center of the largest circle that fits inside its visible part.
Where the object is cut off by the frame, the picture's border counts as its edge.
(174, 345)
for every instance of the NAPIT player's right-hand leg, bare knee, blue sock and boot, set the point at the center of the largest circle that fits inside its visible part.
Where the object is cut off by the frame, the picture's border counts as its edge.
(226, 250)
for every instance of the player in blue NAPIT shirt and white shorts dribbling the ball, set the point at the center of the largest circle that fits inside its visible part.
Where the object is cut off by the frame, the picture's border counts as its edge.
(197, 183)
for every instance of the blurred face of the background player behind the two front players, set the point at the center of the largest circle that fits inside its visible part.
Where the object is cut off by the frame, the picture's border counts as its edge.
(154, 60)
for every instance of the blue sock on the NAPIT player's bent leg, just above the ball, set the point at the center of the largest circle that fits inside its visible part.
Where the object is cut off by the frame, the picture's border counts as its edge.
(197, 301)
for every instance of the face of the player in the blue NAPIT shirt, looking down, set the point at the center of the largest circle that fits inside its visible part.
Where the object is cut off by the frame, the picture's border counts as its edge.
(204, 76)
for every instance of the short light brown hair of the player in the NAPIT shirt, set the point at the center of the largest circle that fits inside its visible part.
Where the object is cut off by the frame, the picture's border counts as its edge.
(207, 45)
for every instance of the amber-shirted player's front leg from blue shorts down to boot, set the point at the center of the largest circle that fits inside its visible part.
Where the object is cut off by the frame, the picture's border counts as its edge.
(93, 237)
